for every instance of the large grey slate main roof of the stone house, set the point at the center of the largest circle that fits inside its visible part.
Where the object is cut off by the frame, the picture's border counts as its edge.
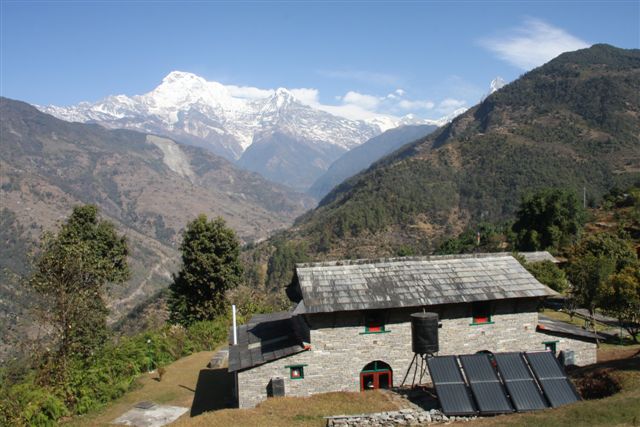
(414, 281)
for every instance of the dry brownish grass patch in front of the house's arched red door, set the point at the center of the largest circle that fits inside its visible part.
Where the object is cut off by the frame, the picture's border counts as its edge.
(295, 411)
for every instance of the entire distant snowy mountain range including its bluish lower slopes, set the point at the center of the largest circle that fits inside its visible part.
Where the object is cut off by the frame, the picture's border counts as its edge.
(268, 131)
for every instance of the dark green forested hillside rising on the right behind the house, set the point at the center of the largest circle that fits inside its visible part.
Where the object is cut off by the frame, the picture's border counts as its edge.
(572, 123)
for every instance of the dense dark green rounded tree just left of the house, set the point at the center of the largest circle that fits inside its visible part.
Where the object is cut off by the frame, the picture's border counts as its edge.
(210, 267)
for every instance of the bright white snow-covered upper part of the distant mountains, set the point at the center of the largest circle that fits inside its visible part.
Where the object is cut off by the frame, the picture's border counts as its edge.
(228, 119)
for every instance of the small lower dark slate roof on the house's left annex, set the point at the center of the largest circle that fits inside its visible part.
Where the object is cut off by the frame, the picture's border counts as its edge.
(265, 338)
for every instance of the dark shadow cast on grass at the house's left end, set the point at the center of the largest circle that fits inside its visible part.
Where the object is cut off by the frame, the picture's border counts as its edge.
(214, 390)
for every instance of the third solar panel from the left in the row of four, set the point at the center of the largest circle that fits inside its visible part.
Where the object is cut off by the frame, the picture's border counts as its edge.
(521, 386)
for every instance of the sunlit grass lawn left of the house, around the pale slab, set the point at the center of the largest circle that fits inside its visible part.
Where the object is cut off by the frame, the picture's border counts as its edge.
(176, 389)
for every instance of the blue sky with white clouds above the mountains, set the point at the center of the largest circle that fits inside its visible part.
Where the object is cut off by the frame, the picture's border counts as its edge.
(388, 57)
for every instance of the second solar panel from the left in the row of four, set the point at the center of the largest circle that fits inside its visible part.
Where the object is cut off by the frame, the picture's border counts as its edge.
(485, 385)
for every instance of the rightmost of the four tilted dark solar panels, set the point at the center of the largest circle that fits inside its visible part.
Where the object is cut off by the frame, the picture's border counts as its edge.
(554, 382)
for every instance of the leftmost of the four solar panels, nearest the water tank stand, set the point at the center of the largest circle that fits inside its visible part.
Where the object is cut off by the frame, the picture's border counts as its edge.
(451, 389)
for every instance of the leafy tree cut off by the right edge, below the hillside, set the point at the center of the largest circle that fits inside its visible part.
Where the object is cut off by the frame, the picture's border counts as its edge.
(621, 298)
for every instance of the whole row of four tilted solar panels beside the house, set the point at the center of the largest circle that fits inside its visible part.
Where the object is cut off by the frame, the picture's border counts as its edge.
(517, 382)
